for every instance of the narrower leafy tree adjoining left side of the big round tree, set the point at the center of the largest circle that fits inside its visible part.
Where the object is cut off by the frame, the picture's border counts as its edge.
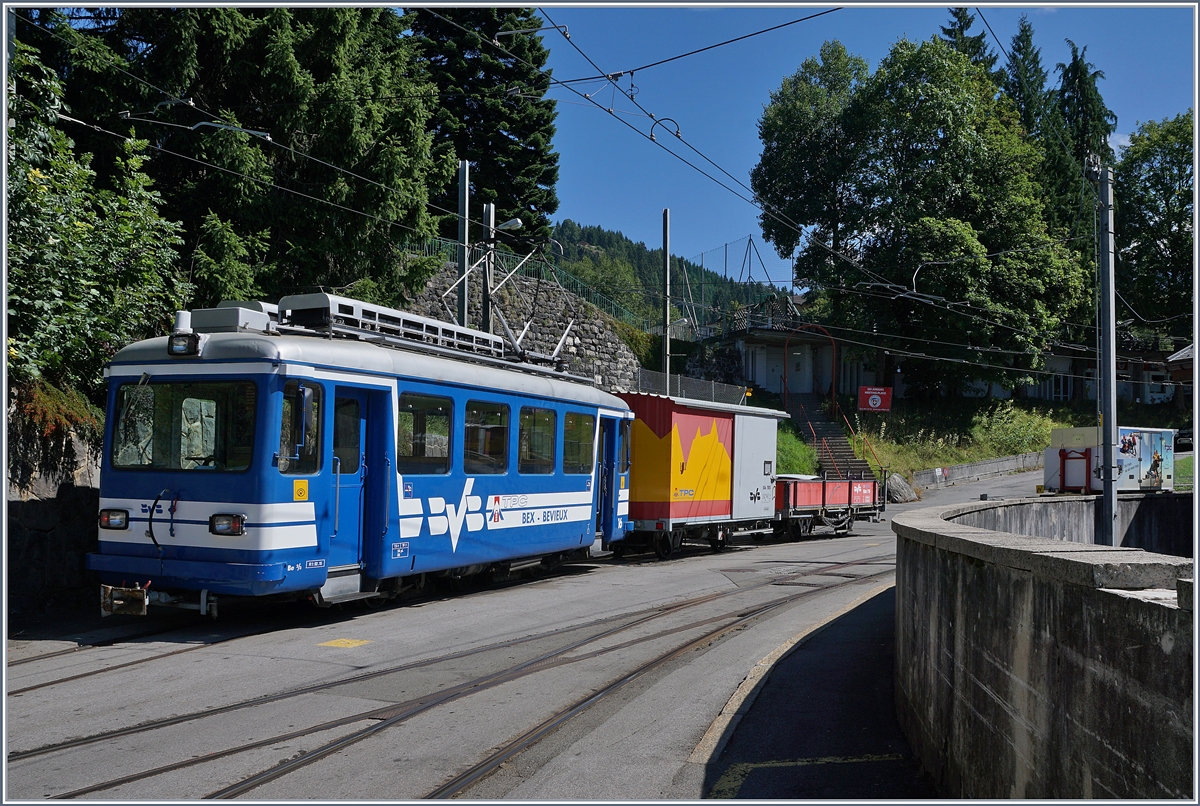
(806, 145)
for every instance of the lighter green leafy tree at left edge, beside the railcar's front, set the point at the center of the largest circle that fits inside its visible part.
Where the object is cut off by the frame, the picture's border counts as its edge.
(89, 269)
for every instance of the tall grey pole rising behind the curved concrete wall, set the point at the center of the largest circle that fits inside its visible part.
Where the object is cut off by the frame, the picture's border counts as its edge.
(1107, 525)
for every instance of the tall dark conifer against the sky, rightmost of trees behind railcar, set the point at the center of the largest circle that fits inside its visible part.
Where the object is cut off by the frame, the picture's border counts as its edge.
(493, 111)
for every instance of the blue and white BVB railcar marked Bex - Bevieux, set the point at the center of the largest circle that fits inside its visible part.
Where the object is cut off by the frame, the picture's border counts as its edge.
(341, 454)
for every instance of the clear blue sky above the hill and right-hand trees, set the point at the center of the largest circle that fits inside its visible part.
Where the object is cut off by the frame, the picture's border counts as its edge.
(615, 178)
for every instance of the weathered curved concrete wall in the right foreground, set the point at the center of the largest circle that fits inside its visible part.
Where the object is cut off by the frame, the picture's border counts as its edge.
(1028, 667)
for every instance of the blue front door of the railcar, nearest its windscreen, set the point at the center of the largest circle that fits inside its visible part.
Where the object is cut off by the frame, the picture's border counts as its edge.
(350, 473)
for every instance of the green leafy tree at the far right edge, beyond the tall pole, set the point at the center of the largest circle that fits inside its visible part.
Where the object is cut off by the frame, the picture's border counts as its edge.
(1155, 224)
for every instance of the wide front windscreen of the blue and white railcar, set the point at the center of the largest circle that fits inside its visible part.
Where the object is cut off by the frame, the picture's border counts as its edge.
(185, 426)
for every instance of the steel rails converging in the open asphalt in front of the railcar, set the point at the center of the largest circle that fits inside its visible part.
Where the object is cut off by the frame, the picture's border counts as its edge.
(596, 634)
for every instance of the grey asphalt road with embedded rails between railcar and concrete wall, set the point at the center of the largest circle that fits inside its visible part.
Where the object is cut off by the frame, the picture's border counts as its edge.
(807, 679)
